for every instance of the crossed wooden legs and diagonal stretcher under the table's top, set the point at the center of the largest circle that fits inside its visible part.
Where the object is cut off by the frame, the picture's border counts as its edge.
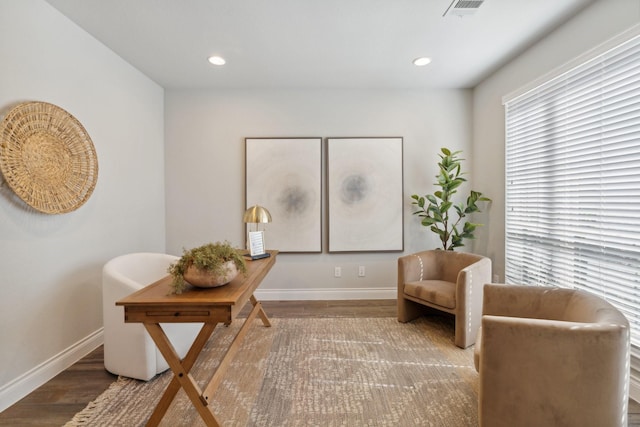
(182, 377)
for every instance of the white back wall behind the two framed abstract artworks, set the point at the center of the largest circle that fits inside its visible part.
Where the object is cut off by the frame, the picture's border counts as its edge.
(205, 133)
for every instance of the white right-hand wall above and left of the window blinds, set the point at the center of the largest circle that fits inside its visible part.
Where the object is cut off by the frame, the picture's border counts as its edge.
(598, 23)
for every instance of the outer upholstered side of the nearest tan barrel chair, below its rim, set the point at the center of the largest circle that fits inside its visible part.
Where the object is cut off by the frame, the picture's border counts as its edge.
(585, 368)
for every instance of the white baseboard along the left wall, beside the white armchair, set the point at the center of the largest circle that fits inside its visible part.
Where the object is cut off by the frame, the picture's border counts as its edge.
(18, 388)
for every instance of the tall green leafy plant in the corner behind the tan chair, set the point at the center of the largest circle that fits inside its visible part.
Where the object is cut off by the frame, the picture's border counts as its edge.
(438, 211)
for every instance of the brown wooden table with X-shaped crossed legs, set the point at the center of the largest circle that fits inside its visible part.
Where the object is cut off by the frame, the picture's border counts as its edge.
(155, 304)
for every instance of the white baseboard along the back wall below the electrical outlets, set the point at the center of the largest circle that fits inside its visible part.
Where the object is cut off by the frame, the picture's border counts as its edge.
(325, 294)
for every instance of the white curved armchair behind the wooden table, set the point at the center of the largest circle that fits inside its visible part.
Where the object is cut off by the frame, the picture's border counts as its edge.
(128, 349)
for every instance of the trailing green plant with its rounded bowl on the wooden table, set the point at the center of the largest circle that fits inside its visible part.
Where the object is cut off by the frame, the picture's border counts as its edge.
(210, 265)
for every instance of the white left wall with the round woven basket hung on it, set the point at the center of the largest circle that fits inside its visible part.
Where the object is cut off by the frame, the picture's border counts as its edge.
(50, 294)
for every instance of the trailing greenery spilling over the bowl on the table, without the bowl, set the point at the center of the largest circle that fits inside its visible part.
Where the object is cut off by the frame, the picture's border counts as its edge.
(211, 258)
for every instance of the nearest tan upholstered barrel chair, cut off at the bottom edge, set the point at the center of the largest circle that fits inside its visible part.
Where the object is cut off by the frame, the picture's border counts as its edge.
(551, 357)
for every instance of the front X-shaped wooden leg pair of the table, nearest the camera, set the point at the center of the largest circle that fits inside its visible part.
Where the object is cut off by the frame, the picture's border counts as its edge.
(181, 376)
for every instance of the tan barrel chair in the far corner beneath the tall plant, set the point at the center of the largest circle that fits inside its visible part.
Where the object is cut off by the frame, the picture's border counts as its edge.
(447, 281)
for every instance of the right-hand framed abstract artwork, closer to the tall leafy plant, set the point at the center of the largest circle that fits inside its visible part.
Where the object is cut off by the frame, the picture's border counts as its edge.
(364, 178)
